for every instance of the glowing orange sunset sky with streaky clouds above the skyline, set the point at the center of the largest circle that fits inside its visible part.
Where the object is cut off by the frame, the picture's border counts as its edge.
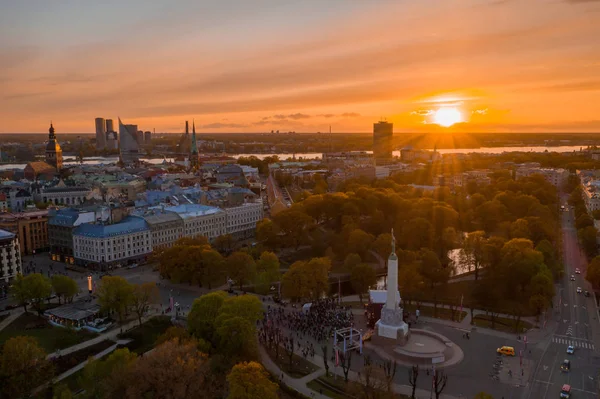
(255, 66)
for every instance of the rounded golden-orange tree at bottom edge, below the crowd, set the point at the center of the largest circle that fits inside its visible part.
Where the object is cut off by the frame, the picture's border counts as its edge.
(249, 380)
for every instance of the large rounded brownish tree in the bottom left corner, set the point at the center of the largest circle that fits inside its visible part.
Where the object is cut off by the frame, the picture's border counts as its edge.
(23, 367)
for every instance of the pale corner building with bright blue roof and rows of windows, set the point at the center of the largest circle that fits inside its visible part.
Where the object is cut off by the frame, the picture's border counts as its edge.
(98, 244)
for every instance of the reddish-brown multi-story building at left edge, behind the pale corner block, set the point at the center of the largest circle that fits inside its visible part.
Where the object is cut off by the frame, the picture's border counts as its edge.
(30, 227)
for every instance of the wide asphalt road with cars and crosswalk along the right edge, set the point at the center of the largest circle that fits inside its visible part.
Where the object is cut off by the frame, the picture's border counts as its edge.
(576, 323)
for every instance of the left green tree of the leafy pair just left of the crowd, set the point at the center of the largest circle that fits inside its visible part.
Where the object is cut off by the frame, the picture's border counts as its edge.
(204, 312)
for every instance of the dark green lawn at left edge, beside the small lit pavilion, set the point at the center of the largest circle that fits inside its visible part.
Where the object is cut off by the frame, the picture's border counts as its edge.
(49, 337)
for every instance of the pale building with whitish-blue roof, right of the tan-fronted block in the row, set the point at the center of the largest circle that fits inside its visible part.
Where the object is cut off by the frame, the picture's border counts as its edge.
(201, 220)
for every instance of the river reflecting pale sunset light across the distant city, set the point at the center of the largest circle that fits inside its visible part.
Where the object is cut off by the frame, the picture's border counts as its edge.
(317, 155)
